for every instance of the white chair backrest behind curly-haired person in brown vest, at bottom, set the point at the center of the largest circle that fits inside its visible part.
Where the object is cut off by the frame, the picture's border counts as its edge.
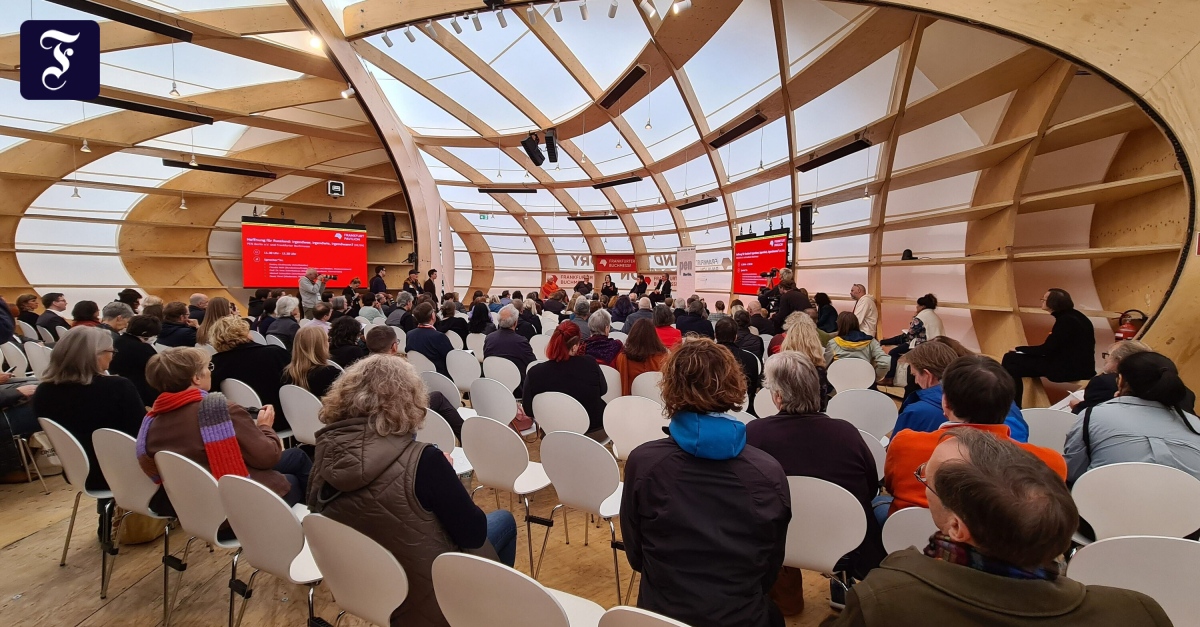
(365, 578)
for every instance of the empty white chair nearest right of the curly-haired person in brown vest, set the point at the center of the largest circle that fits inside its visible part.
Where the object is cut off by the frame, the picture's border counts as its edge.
(502, 463)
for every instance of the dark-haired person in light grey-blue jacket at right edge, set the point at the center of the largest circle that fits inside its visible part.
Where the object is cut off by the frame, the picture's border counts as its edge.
(1145, 422)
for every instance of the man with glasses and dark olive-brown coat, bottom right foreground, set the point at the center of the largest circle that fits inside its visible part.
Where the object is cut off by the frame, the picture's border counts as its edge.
(1004, 521)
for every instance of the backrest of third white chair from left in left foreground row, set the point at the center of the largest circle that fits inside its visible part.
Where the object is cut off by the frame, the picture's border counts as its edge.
(194, 495)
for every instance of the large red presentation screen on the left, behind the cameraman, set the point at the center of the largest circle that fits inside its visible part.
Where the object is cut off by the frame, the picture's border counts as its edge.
(277, 254)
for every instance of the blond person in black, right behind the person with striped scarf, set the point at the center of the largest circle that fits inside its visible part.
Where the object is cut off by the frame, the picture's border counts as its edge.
(259, 366)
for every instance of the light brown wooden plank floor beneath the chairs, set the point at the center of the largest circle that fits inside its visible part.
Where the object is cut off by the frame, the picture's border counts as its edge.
(34, 590)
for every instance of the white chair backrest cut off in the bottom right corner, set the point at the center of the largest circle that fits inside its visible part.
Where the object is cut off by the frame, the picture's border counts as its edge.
(1162, 569)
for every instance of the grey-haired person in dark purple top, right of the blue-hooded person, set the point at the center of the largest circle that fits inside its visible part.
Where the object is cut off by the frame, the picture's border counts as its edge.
(809, 444)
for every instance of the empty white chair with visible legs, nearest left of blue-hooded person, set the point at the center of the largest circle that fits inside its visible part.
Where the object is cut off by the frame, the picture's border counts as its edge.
(586, 477)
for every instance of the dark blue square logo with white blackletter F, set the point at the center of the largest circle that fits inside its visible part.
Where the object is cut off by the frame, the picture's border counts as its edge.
(59, 59)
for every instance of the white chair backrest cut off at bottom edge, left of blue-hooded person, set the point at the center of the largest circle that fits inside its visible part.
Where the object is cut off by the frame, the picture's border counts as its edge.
(478, 593)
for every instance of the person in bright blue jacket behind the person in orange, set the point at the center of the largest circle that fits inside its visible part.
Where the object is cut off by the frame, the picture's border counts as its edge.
(922, 411)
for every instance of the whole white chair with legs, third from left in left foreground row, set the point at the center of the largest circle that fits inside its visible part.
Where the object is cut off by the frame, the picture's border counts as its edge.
(194, 495)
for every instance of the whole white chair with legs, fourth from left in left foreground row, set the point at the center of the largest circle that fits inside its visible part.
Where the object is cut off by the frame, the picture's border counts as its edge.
(271, 535)
